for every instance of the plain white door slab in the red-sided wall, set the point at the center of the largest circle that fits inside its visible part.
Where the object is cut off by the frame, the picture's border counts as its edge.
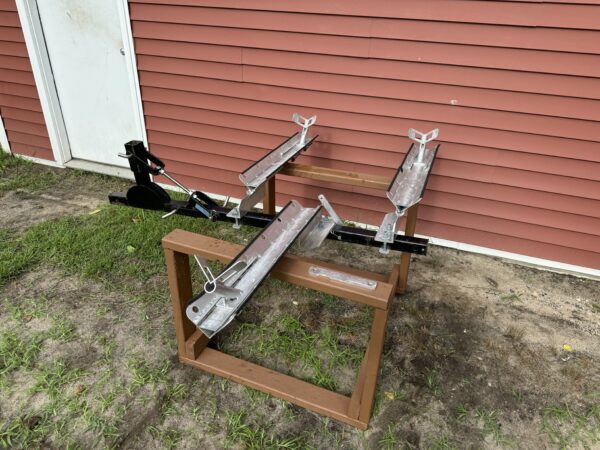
(92, 73)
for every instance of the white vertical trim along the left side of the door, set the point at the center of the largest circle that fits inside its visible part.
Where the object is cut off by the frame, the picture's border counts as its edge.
(44, 79)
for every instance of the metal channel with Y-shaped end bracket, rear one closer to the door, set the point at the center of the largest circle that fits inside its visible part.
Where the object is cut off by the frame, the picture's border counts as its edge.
(256, 176)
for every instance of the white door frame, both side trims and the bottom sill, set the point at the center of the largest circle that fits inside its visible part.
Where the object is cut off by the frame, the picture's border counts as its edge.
(44, 80)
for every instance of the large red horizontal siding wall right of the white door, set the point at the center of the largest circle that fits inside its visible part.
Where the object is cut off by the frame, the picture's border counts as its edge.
(513, 86)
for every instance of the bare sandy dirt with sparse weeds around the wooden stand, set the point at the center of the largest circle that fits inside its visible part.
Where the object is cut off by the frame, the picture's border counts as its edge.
(474, 356)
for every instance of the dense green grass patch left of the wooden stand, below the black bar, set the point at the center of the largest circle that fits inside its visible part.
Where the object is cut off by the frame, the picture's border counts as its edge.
(115, 245)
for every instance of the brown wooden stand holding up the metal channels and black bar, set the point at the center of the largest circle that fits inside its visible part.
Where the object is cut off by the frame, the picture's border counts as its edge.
(192, 344)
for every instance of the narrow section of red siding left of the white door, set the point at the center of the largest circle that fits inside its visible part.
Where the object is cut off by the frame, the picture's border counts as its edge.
(20, 106)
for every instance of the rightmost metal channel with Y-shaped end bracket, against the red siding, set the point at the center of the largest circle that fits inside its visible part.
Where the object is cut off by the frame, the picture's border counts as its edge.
(409, 183)
